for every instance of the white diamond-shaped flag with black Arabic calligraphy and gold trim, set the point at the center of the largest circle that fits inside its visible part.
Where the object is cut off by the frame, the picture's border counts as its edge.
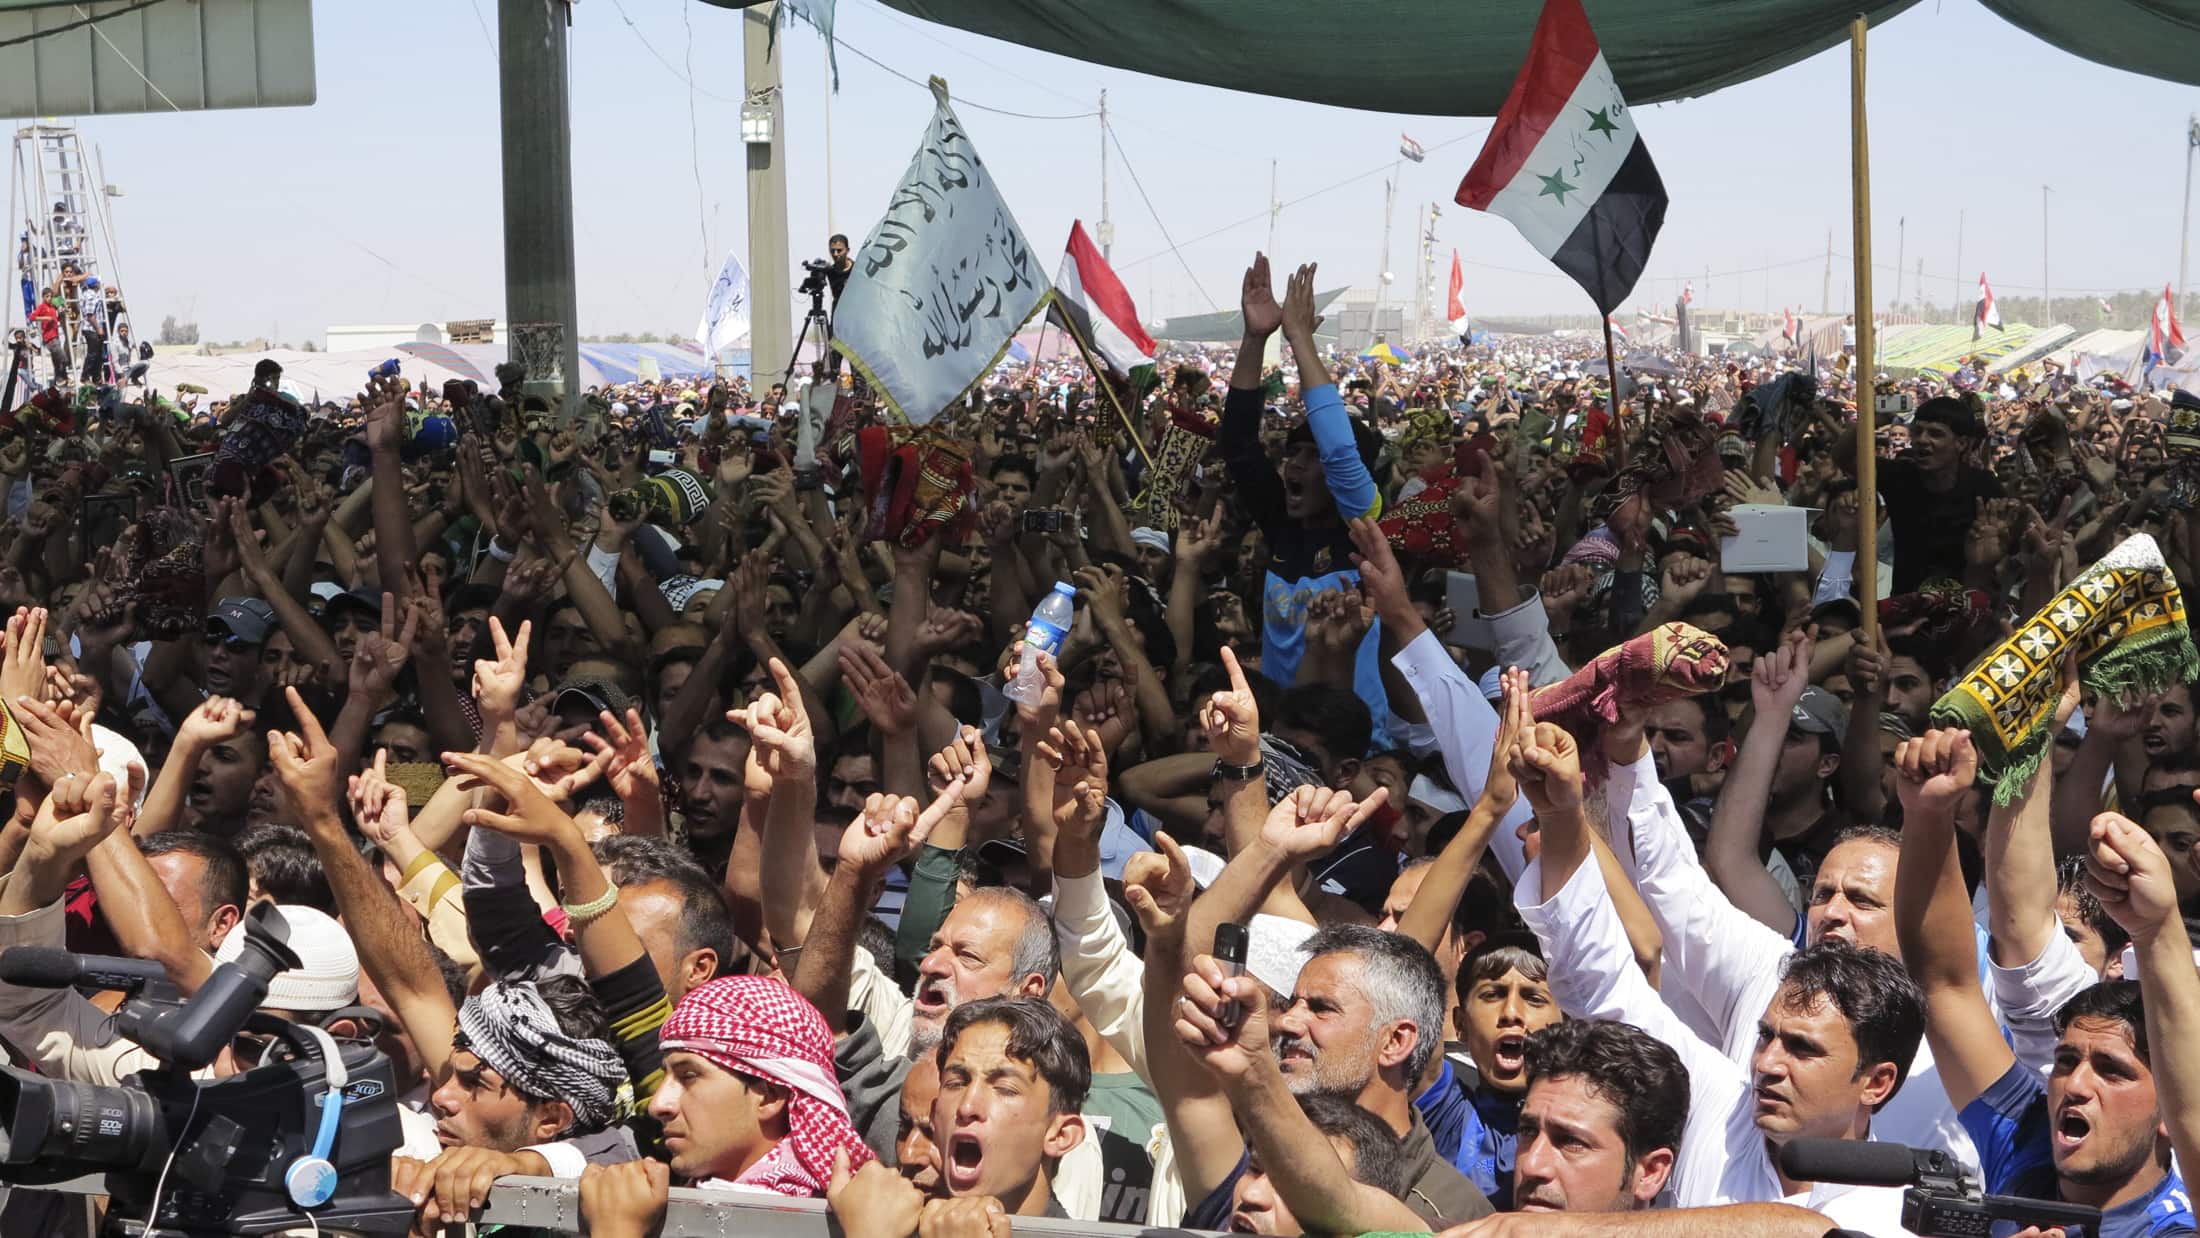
(943, 283)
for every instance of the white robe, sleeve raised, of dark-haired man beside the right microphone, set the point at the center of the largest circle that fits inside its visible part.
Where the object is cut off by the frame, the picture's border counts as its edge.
(1724, 1156)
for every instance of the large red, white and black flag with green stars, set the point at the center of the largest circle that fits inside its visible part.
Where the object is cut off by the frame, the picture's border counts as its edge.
(1565, 164)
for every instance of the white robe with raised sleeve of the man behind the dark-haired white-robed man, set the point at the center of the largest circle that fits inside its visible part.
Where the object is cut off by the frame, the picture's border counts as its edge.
(1730, 962)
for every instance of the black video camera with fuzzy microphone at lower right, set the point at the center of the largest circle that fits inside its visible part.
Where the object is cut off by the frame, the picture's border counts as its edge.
(1941, 1195)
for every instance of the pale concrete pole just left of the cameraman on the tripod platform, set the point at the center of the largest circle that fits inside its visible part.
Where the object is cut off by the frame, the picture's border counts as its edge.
(771, 329)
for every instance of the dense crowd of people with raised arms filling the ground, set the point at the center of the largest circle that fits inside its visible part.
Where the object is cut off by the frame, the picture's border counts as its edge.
(1416, 830)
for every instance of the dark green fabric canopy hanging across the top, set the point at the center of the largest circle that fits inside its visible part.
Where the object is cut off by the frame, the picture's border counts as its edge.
(1455, 58)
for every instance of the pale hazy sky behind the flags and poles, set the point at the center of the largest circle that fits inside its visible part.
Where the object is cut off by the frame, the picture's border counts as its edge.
(263, 223)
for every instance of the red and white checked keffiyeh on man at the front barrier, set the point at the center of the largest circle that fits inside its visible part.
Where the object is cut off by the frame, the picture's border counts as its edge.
(760, 1028)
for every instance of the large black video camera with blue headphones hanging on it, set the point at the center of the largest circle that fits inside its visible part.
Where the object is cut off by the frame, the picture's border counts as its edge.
(256, 1153)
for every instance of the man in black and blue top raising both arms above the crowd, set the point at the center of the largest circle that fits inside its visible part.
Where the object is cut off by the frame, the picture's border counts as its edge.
(1325, 480)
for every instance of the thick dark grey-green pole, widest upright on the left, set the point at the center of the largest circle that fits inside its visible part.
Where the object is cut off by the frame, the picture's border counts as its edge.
(540, 300)
